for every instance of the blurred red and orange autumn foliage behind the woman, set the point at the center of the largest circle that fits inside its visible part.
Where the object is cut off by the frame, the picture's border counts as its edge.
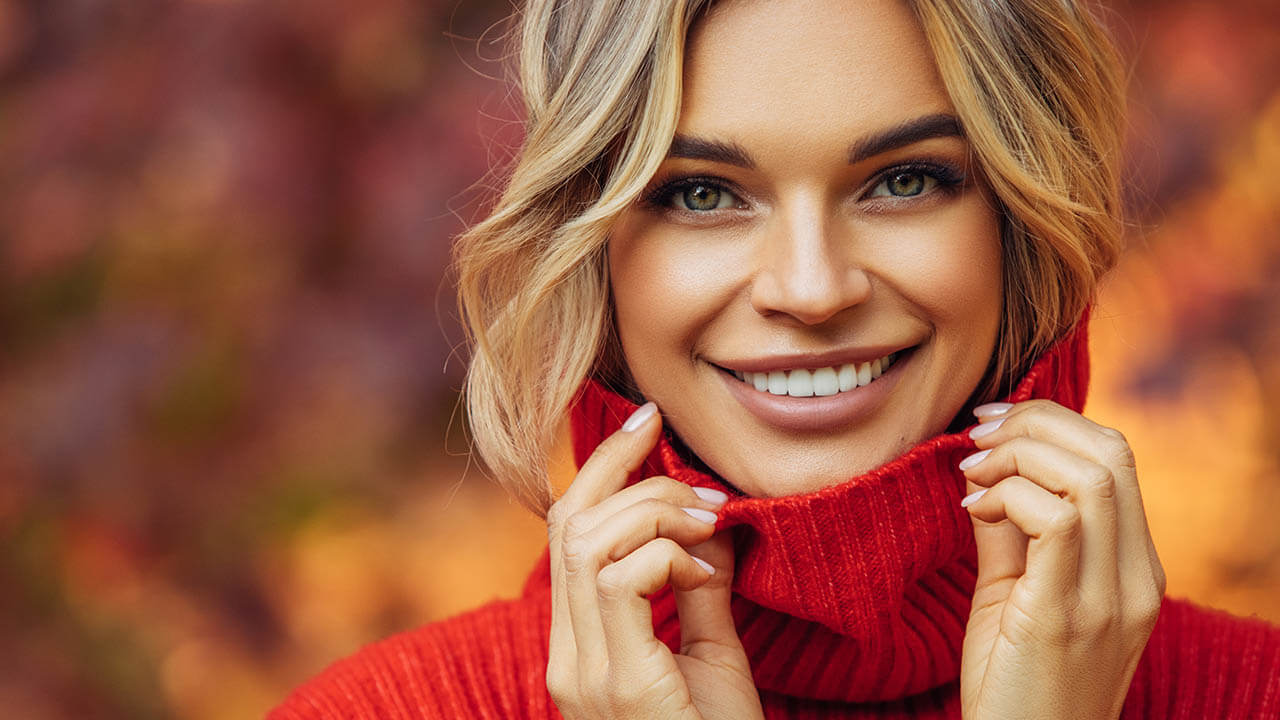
(230, 449)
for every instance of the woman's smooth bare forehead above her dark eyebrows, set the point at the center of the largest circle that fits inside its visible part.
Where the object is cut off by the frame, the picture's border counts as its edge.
(811, 72)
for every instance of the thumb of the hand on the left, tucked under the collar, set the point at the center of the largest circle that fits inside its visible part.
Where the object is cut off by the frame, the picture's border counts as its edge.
(707, 627)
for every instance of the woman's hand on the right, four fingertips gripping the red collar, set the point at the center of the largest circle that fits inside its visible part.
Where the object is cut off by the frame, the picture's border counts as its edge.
(1069, 585)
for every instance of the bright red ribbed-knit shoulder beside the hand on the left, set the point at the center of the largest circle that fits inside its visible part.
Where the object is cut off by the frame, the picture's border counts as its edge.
(486, 664)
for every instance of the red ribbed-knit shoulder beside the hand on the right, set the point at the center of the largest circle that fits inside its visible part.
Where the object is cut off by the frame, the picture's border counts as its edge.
(1203, 663)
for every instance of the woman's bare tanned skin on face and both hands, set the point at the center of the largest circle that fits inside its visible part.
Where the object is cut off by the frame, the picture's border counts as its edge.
(806, 256)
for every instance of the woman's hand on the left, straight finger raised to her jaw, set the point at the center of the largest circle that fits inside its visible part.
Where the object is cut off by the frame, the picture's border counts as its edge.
(612, 548)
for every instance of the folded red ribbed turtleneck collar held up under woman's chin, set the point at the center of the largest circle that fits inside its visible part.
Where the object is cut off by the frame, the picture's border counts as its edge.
(858, 593)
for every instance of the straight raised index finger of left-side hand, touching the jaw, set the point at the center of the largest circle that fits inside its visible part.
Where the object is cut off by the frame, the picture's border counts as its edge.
(607, 470)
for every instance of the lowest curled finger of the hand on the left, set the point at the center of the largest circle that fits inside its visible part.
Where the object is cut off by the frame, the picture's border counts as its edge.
(623, 589)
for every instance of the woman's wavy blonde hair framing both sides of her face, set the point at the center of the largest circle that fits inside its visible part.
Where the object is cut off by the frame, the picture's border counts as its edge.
(1037, 88)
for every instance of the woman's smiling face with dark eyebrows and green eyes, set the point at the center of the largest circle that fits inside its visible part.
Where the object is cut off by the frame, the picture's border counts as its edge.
(819, 212)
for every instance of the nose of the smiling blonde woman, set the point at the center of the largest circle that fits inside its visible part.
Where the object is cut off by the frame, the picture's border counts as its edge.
(807, 270)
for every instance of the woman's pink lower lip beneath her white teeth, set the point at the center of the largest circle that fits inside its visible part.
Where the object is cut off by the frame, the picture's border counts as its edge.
(816, 414)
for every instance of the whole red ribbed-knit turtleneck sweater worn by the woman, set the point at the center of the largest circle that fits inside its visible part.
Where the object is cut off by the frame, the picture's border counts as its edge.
(852, 603)
